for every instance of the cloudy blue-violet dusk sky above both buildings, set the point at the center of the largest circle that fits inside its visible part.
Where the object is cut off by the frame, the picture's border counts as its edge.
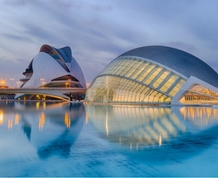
(97, 31)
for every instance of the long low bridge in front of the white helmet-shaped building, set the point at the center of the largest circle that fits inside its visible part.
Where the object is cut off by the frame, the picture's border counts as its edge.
(61, 93)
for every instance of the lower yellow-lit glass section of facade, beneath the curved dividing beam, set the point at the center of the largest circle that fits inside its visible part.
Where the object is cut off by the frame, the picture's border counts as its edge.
(116, 89)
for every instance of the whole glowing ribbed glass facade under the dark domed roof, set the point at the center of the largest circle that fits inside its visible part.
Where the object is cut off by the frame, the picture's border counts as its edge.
(134, 80)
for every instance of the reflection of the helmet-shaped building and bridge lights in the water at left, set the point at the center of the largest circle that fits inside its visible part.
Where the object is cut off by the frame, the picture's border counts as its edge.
(51, 128)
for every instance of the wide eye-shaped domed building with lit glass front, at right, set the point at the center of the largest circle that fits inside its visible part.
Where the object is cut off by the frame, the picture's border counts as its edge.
(155, 75)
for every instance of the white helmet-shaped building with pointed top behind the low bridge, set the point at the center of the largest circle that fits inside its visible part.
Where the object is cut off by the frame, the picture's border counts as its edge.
(53, 68)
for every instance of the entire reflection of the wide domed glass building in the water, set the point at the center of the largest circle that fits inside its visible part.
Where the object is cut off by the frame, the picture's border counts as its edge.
(140, 128)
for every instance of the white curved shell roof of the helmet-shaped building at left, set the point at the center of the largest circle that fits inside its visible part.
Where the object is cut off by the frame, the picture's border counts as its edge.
(48, 68)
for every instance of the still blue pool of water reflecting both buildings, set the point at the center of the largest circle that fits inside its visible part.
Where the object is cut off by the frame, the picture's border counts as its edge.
(63, 139)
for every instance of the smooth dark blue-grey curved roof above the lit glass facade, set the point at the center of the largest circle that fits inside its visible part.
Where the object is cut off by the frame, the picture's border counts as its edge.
(178, 60)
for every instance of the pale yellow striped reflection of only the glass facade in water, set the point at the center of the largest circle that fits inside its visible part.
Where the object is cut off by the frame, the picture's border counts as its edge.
(136, 126)
